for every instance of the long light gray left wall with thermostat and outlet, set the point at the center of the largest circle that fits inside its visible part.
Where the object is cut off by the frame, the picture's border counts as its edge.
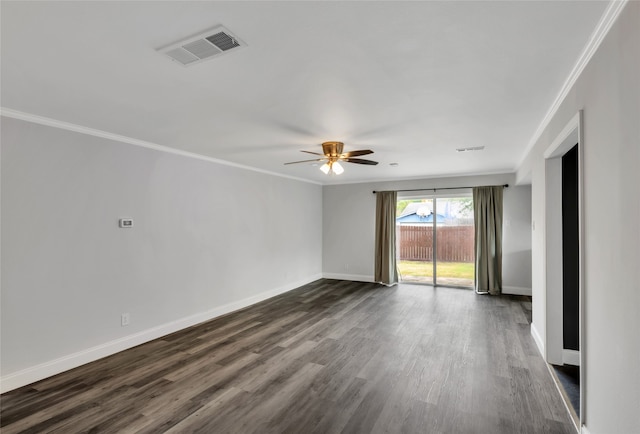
(207, 238)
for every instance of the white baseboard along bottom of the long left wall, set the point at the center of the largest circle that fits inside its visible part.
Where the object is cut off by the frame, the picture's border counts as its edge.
(65, 363)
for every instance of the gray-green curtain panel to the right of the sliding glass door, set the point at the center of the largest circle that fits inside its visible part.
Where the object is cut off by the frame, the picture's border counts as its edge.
(487, 214)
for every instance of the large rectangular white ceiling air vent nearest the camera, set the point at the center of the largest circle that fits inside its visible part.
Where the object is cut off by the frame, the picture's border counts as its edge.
(204, 46)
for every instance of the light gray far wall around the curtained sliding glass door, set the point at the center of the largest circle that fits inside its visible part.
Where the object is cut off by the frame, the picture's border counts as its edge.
(349, 227)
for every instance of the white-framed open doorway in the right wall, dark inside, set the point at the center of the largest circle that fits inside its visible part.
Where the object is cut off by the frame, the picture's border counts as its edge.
(564, 292)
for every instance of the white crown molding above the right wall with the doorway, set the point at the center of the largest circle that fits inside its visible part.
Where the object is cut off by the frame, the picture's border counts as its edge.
(604, 25)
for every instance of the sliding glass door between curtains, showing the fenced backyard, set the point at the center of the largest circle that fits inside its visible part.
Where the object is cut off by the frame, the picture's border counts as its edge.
(435, 237)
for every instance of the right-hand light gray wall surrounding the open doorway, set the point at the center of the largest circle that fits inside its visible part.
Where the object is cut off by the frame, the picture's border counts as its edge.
(608, 90)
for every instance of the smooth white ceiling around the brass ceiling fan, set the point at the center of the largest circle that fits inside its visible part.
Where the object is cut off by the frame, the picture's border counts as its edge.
(412, 81)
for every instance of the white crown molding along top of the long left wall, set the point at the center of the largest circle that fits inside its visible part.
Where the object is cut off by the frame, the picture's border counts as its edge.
(41, 120)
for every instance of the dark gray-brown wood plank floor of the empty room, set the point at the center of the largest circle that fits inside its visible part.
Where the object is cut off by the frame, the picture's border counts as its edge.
(329, 357)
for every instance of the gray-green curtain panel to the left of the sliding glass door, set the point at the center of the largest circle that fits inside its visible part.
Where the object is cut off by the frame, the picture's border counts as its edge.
(386, 271)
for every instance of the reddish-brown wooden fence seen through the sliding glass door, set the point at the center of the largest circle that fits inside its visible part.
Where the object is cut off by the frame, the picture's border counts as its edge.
(455, 243)
